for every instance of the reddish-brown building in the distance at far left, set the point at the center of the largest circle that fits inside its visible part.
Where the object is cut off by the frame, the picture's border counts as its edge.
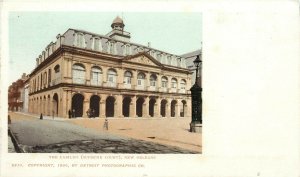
(16, 94)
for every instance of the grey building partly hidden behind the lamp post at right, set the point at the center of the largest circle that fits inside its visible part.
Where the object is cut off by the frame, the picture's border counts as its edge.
(190, 57)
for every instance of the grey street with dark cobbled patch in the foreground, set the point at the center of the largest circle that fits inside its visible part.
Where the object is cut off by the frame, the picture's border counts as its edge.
(35, 135)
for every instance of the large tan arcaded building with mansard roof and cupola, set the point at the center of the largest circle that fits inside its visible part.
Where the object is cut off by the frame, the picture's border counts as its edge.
(109, 74)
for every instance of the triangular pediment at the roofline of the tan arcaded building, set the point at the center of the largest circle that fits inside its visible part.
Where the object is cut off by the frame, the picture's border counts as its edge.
(143, 59)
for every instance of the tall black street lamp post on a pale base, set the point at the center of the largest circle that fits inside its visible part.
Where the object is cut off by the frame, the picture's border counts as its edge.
(196, 124)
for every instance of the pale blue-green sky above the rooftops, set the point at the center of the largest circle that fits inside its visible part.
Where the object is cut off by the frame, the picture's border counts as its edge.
(31, 32)
